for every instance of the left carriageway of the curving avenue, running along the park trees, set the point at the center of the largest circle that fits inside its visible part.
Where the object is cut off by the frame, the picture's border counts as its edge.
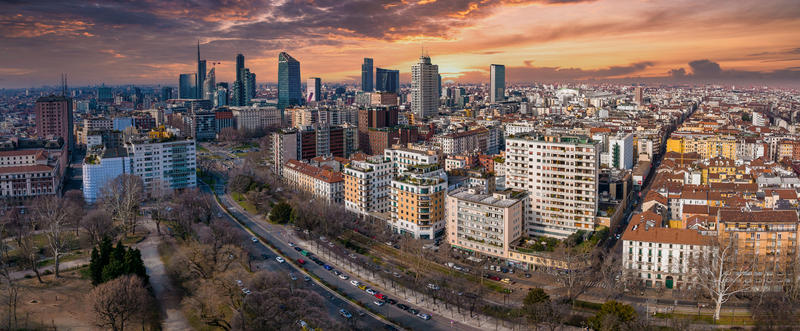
(334, 301)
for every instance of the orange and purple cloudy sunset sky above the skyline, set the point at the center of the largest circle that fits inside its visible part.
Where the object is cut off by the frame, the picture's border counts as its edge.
(144, 42)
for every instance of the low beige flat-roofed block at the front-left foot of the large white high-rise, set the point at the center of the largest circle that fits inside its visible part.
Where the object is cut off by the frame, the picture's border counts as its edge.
(485, 223)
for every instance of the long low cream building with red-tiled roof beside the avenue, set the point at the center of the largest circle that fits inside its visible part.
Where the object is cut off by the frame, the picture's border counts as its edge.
(321, 182)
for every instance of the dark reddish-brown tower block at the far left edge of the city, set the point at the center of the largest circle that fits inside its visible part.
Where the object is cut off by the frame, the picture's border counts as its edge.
(54, 118)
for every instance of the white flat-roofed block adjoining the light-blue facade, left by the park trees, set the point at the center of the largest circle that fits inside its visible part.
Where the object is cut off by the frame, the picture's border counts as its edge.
(168, 161)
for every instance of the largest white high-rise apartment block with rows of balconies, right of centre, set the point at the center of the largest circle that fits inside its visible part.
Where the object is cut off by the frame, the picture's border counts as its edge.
(561, 173)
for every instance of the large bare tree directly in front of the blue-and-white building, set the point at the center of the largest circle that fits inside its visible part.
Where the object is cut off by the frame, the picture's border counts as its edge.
(123, 197)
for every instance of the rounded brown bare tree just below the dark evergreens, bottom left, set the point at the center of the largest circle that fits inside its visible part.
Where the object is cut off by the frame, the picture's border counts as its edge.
(119, 301)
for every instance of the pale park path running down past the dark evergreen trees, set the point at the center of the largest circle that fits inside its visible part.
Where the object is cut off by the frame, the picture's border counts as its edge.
(165, 291)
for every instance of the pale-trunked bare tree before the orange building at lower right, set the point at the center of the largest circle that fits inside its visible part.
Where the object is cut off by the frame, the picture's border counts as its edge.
(720, 271)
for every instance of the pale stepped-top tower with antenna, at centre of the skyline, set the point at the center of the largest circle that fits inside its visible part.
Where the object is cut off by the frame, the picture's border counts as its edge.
(424, 88)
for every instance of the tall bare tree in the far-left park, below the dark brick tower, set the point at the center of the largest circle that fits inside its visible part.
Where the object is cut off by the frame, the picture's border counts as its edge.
(52, 214)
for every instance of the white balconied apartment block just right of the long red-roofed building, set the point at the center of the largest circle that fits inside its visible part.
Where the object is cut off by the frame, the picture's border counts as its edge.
(366, 185)
